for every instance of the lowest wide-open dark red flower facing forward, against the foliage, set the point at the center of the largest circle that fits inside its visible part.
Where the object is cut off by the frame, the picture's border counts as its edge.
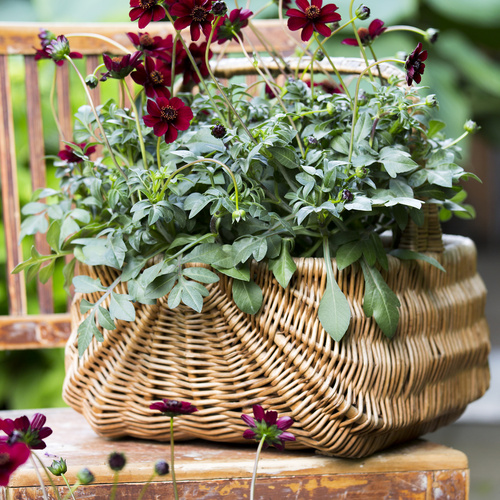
(167, 116)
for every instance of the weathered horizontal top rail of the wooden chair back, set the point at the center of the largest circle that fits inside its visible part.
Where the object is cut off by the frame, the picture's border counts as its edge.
(21, 38)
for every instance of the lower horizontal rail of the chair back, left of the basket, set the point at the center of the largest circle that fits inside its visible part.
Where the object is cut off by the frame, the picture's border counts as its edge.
(34, 331)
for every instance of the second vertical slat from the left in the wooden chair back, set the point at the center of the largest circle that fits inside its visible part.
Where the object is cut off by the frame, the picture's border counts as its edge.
(37, 167)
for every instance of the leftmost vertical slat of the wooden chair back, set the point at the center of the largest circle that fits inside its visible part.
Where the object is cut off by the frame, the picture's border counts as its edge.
(10, 196)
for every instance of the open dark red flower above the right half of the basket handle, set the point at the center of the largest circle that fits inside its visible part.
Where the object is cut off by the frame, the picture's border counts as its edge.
(312, 17)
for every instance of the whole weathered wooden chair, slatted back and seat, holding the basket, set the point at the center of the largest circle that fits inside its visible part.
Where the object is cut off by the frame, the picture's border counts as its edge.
(419, 470)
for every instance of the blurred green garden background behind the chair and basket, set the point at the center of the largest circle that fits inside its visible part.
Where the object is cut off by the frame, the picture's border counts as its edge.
(463, 69)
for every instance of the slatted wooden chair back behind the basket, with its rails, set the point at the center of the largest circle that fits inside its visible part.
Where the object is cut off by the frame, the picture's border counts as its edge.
(20, 330)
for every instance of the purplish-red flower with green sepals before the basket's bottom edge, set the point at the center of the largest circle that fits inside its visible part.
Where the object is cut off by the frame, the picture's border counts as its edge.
(267, 425)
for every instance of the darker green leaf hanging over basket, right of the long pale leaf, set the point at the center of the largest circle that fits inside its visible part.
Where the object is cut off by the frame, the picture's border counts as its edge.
(380, 301)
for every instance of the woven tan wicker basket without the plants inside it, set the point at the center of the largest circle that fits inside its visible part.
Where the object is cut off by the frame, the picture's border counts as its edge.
(349, 399)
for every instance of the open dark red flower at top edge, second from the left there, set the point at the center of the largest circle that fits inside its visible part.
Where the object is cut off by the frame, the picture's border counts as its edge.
(193, 13)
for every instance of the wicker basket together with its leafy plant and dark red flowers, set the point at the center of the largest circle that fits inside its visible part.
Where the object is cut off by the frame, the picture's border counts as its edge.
(236, 247)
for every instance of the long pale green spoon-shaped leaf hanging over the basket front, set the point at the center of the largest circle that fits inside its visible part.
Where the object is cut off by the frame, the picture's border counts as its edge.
(334, 312)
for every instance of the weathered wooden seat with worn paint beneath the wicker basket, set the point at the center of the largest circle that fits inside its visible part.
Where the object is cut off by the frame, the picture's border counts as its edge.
(418, 470)
